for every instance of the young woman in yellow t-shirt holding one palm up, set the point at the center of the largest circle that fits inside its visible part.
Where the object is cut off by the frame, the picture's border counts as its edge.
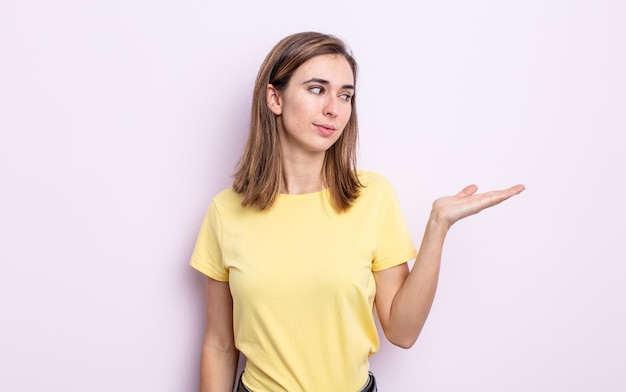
(303, 245)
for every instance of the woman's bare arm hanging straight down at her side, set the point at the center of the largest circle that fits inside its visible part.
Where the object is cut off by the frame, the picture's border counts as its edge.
(218, 365)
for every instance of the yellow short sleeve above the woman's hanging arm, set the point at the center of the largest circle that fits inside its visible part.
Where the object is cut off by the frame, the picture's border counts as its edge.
(207, 254)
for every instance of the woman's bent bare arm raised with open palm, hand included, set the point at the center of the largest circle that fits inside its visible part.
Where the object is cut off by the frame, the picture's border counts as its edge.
(403, 298)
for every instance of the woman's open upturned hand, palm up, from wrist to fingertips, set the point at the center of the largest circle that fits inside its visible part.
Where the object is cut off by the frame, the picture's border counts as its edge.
(450, 209)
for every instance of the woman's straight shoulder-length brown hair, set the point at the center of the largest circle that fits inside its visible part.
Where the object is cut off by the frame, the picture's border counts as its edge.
(259, 172)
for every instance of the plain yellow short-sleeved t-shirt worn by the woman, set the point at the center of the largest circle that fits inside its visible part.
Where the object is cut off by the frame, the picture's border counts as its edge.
(301, 279)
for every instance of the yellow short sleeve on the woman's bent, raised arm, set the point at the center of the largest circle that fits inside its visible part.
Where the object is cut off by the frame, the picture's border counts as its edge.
(395, 244)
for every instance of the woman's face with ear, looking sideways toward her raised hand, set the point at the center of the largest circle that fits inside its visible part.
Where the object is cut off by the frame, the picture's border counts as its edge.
(315, 106)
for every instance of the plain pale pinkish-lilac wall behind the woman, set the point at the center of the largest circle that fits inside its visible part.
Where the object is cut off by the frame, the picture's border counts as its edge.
(119, 120)
